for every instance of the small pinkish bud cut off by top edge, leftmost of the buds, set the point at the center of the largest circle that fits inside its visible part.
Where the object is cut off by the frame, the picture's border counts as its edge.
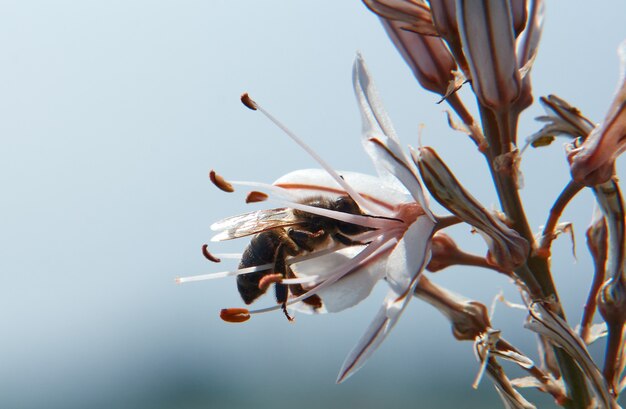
(414, 14)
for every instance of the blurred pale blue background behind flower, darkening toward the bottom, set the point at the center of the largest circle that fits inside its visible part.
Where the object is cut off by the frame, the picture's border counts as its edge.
(113, 113)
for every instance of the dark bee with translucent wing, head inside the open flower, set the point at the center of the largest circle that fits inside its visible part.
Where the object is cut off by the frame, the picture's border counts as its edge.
(284, 233)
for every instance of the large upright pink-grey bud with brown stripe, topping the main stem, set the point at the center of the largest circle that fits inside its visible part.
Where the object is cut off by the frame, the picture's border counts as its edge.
(486, 30)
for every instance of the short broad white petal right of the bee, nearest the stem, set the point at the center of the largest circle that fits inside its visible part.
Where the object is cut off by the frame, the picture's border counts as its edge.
(410, 255)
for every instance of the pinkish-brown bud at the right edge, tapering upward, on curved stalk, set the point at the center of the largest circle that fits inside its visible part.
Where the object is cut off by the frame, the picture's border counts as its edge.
(593, 162)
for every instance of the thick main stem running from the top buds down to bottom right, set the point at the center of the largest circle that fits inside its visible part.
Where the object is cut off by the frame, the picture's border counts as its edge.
(500, 131)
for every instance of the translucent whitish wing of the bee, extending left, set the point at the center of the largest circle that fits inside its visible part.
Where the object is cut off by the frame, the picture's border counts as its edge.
(252, 223)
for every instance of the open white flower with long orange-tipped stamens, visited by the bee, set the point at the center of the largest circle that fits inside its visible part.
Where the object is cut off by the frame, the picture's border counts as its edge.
(391, 240)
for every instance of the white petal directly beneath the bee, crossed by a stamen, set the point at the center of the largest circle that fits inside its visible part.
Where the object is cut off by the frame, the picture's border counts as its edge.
(350, 289)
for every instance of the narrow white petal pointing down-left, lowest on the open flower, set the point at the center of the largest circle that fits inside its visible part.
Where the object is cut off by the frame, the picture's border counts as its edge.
(376, 333)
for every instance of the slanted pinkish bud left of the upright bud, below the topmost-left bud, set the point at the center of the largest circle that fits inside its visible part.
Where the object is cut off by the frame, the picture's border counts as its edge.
(429, 58)
